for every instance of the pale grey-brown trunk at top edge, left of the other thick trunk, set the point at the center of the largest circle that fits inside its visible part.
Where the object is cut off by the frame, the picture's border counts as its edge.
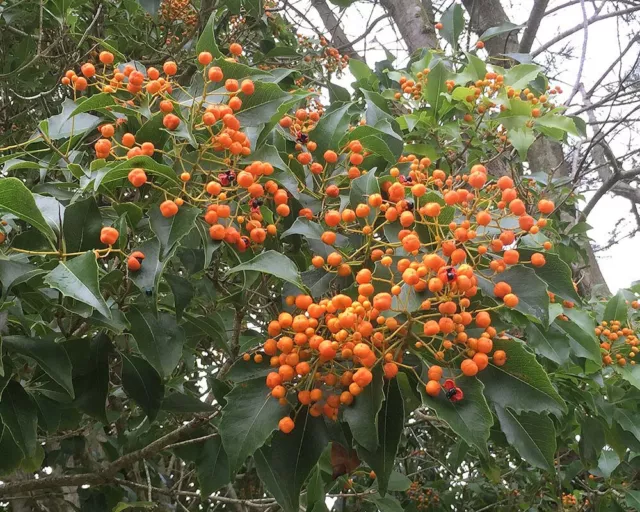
(414, 19)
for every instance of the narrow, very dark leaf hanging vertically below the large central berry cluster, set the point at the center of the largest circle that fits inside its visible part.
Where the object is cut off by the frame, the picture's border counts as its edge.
(390, 426)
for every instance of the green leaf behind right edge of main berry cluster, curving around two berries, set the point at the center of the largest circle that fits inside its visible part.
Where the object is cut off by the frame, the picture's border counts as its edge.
(530, 289)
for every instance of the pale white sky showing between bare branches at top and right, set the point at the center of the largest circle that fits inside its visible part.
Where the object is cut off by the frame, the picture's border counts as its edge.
(603, 46)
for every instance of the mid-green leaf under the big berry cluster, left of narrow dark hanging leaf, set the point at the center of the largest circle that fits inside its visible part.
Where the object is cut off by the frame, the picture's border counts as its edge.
(362, 414)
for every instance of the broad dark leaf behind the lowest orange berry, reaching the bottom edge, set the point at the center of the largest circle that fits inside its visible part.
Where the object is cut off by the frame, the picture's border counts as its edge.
(284, 466)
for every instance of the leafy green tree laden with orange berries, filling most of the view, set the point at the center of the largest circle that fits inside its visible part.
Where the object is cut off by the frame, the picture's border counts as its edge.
(220, 289)
